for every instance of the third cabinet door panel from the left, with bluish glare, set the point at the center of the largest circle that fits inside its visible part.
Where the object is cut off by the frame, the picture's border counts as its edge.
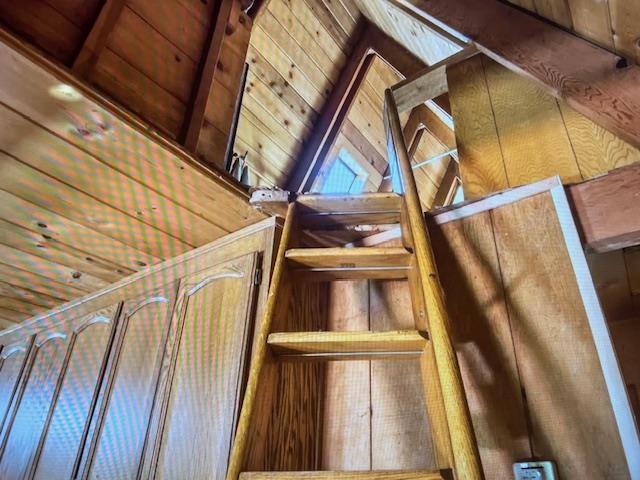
(66, 432)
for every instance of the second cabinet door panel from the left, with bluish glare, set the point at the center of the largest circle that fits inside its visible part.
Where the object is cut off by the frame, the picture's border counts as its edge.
(34, 403)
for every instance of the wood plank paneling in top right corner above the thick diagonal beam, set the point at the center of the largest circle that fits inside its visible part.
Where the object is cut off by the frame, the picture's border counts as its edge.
(612, 24)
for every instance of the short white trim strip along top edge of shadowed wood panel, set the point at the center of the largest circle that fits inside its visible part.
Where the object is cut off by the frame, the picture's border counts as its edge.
(496, 200)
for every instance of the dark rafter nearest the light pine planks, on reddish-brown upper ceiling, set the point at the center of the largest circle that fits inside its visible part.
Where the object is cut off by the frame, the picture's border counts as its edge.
(194, 118)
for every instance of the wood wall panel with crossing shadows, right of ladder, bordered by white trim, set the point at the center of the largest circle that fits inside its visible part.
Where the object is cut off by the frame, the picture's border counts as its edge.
(535, 382)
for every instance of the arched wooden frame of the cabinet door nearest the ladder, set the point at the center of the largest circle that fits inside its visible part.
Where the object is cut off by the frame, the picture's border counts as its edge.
(188, 287)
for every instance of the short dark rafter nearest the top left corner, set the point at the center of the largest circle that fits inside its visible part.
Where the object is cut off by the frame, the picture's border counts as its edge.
(97, 37)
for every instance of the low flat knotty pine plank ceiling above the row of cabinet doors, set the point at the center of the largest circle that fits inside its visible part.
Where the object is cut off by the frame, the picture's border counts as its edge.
(86, 198)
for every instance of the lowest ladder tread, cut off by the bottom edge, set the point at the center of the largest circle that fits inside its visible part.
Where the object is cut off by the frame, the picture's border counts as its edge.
(355, 475)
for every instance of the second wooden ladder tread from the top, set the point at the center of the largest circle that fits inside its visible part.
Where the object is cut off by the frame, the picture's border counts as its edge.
(349, 263)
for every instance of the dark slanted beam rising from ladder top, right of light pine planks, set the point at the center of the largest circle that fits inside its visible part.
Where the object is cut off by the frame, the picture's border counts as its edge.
(334, 112)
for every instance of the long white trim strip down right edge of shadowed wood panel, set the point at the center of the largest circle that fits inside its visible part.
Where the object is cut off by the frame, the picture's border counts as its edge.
(620, 404)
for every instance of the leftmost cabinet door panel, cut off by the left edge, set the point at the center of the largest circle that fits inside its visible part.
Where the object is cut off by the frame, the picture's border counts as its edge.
(12, 362)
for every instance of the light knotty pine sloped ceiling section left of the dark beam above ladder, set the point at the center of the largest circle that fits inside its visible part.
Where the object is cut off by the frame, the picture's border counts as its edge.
(296, 53)
